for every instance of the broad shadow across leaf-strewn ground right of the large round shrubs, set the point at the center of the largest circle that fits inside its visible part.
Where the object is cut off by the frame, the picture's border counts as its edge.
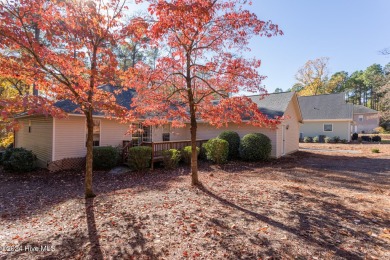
(342, 171)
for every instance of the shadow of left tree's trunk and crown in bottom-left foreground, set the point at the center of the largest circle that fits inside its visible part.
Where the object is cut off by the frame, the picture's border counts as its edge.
(85, 244)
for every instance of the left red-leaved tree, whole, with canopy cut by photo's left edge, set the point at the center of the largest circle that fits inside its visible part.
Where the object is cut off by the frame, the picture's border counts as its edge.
(64, 48)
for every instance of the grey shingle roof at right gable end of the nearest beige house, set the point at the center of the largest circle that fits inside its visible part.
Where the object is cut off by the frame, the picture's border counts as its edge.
(274, 104)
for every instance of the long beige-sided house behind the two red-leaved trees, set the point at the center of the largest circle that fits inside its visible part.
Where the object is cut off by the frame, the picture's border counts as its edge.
(61, 143)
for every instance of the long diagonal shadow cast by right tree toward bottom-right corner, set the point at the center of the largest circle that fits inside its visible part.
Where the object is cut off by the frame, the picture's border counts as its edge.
(313, 226)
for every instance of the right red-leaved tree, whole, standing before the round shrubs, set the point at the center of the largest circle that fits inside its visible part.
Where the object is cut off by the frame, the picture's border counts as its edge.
(202, 42)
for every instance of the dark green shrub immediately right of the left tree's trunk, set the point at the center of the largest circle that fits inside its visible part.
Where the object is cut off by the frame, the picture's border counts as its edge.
(105, 157)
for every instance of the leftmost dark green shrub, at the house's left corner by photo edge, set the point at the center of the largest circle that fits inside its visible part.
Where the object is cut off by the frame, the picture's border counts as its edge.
(19, 160)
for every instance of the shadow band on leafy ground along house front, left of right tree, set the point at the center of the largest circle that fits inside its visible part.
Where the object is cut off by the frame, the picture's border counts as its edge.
(35, 192)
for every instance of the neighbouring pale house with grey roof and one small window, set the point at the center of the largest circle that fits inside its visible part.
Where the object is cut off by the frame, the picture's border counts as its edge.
(326, 115)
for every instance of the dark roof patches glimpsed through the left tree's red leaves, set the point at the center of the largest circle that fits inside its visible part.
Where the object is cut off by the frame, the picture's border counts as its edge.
(123, 99)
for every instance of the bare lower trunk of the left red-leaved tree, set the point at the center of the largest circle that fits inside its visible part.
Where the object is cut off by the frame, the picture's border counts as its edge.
(89, 159)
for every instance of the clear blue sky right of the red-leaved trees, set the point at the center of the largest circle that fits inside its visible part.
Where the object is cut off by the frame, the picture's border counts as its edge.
(351, 33)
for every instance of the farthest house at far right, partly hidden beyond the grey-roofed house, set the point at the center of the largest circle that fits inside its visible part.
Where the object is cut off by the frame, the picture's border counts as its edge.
(365, 119)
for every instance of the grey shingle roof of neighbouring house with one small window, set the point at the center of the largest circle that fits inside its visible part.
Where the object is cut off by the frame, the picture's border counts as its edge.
(330, 106)
